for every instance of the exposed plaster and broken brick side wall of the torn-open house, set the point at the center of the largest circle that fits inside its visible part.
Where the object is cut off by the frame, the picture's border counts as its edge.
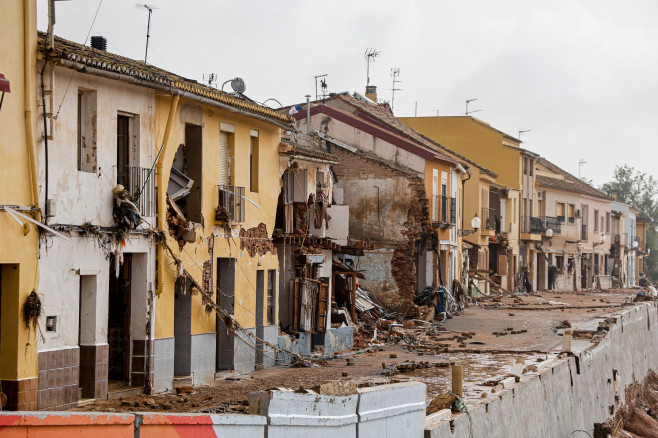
(389, 208)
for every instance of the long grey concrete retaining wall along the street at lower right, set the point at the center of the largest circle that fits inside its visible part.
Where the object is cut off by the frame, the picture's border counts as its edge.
(572, 394)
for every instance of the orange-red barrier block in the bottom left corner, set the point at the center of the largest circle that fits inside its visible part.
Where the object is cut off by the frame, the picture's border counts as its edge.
(67, 424)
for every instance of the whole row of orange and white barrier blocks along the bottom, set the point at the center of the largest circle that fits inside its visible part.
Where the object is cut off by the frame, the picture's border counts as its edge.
(387, 411)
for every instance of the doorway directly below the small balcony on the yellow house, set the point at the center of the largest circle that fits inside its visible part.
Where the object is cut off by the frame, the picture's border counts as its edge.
(225, 342)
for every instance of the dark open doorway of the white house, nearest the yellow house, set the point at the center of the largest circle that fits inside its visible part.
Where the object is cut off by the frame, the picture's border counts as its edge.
(118, 321)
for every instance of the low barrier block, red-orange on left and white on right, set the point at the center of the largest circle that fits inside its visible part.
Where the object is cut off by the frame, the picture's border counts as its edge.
(152, 425)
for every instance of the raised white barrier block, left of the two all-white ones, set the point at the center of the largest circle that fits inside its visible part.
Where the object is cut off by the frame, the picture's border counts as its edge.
(293, 415)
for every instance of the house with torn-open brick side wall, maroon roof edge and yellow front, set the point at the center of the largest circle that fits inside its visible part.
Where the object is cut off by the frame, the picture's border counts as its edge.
(402, 193)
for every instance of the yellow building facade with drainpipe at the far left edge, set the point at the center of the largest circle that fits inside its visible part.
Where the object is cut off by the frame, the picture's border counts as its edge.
(19, 249)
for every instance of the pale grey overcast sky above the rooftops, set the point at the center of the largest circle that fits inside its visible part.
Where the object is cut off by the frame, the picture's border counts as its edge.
(581, 75)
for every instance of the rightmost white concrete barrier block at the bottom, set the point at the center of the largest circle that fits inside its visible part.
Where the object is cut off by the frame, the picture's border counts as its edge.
(394, 410)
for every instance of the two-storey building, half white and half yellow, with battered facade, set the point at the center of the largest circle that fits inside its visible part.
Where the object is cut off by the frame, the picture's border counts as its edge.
(160, 199)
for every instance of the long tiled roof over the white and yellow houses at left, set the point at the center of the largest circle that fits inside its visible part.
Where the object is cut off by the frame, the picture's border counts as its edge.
(150, 75)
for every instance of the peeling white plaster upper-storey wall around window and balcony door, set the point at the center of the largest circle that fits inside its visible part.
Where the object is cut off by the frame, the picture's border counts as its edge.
(87, 196)
